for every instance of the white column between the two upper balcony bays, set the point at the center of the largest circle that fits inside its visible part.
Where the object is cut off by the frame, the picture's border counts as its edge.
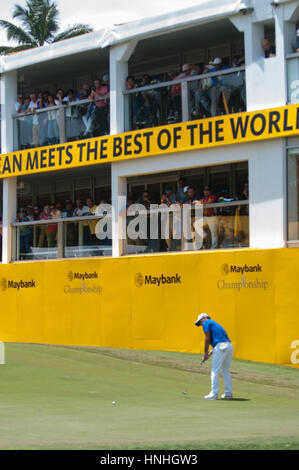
(119, 57)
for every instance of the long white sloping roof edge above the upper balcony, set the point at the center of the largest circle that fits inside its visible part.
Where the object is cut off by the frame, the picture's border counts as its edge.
(205, 11)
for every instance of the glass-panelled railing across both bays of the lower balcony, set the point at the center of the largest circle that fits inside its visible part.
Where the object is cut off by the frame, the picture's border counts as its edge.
(209, 226)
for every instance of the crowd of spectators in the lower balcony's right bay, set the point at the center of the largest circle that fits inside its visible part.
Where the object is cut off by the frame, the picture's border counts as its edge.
(223, 225)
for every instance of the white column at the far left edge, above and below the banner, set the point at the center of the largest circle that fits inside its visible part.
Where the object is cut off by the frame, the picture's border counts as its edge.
(8, 98)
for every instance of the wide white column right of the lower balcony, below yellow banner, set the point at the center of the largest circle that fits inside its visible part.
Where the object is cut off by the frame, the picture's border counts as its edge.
(267, 194)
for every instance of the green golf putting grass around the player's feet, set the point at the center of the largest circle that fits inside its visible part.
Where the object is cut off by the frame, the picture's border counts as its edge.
(61, 398)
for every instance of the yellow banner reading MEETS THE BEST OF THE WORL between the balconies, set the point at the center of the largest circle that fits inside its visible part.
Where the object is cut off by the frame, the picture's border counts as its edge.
(193, 135)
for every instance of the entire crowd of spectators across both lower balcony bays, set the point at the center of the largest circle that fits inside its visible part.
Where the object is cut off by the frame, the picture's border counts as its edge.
(219, 222)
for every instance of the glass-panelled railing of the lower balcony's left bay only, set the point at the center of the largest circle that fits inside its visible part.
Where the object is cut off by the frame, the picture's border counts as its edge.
(69, 237)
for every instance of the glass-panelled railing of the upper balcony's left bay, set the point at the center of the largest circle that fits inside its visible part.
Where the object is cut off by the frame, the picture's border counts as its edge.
(58, 124)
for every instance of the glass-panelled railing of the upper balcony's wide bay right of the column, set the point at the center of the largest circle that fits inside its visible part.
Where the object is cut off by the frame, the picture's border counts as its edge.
(195, 97)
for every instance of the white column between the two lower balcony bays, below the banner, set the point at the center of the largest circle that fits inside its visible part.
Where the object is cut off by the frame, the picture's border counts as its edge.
(119, 199)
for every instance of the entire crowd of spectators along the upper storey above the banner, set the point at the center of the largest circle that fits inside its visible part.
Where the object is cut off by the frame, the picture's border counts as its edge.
(208, 96)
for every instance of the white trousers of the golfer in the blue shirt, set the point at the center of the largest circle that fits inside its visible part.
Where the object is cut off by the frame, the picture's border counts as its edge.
(221, 361)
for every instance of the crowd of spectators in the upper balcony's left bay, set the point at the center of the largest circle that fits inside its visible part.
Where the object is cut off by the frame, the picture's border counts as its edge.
(87, 119)
